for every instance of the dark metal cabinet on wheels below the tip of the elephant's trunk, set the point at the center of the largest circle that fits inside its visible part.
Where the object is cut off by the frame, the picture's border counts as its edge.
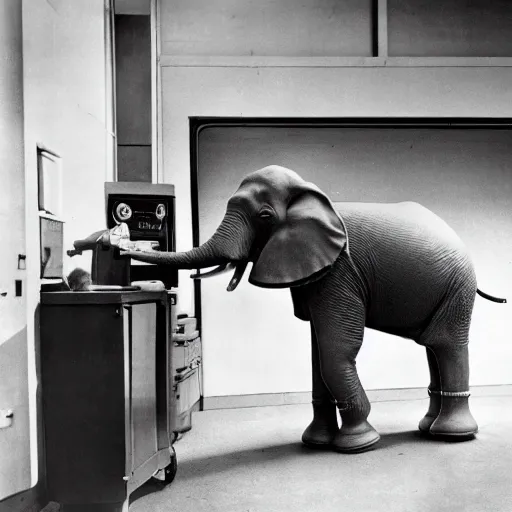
(106, 389)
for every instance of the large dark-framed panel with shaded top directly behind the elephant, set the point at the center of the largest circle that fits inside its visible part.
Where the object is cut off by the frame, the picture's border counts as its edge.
(465, 176)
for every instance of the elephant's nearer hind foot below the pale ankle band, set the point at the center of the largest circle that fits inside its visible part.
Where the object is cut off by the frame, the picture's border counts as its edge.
(454, 419)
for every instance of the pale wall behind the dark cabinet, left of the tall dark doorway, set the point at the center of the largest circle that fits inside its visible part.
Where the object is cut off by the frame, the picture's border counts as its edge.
(67, 109)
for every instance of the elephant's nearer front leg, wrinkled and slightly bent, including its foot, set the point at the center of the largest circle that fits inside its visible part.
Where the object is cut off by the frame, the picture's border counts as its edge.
(339, 342)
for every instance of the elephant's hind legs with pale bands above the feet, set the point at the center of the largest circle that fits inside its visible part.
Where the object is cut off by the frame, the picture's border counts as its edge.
(446, 340)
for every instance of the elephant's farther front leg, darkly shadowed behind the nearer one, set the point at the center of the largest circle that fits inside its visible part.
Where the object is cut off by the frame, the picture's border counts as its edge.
(321, 432)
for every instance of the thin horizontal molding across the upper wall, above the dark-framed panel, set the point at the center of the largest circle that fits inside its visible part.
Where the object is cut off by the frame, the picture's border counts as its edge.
(331, 62)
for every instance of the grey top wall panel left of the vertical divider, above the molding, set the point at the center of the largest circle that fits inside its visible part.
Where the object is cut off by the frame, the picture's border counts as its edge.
(266, 27)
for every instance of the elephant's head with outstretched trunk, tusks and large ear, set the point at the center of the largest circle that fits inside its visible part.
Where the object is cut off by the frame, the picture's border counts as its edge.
(286, 226)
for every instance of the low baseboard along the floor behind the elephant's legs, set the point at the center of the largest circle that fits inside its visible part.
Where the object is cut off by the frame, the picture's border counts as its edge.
(304, 397)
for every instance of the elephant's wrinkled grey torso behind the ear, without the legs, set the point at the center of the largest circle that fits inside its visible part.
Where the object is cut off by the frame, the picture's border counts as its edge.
(409, 261)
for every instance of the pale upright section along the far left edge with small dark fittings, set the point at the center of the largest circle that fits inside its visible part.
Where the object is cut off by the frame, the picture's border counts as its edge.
(14, 445)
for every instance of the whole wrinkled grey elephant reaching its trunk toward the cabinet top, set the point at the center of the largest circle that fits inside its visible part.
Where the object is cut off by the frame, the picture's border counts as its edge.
(396, 268)
